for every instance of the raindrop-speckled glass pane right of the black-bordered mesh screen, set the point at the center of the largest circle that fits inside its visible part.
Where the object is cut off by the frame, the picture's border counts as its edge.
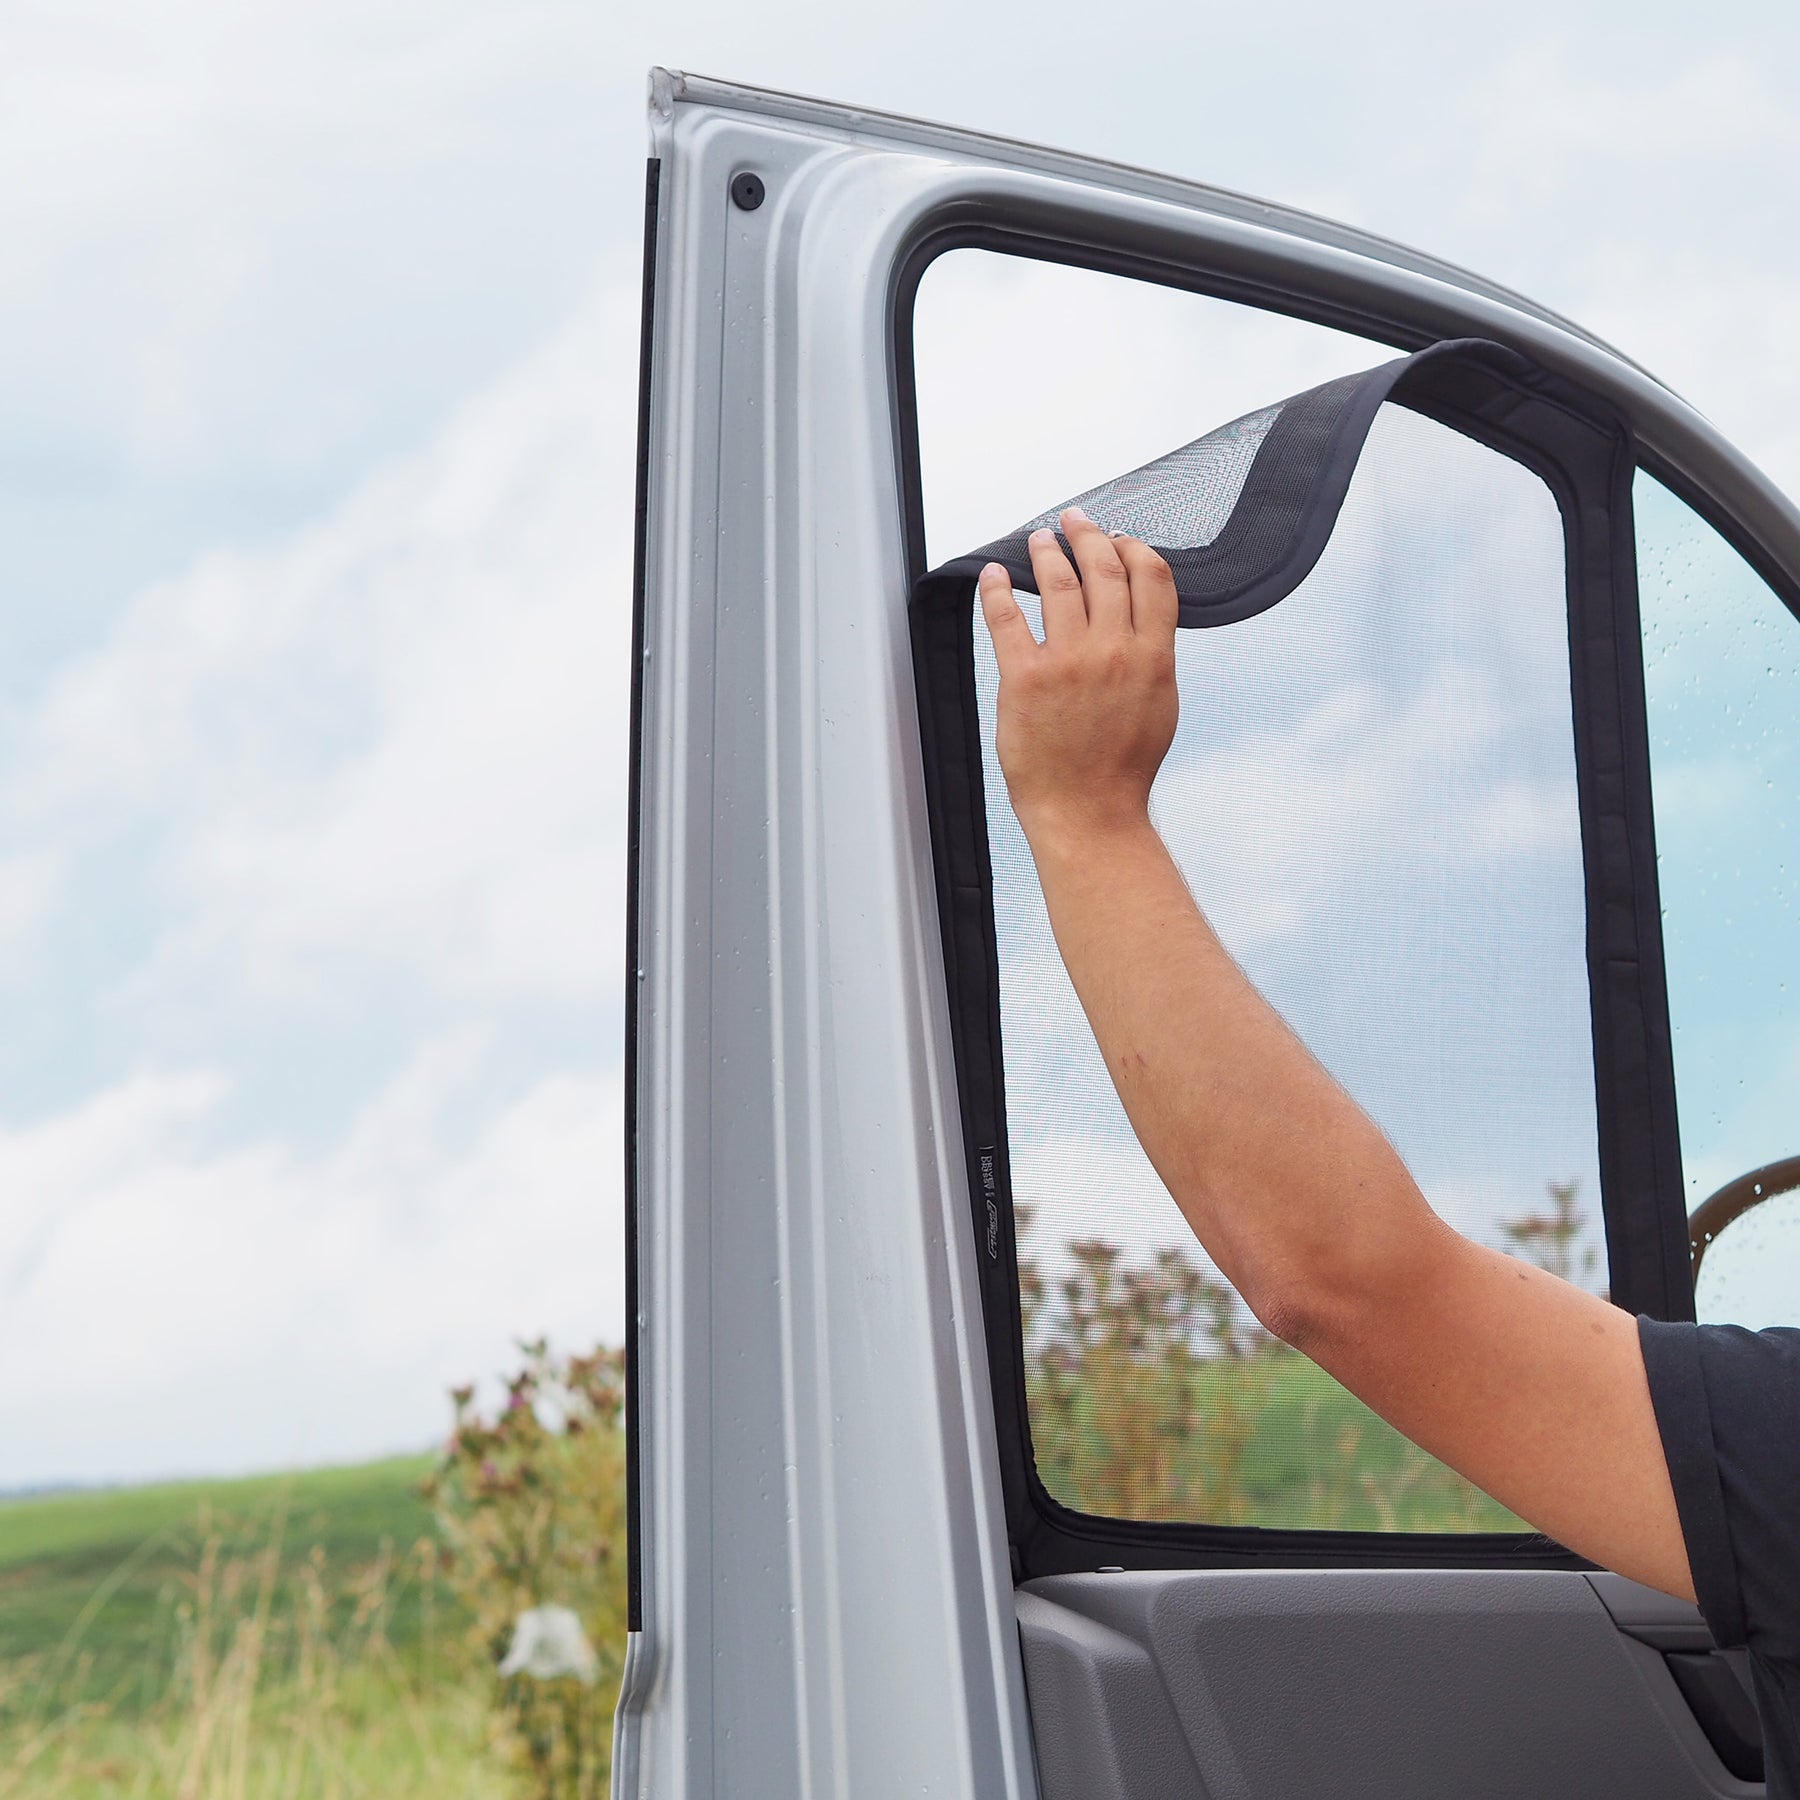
(1722, 665)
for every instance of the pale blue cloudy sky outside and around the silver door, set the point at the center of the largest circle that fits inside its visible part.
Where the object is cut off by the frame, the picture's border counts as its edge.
(318, 379)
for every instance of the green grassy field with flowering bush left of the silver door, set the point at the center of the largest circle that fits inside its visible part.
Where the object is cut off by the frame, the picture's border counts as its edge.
(276, 1653)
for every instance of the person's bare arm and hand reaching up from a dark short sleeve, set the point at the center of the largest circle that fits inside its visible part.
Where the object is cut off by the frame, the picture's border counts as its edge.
(1529, 1387)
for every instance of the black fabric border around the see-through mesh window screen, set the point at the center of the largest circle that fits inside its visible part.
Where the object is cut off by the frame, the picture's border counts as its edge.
(1583, 451)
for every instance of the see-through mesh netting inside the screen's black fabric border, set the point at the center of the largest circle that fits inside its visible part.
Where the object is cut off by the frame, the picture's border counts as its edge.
(1372, 795)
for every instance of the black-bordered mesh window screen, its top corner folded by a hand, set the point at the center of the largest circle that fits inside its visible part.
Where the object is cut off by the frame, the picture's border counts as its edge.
(1398, 793)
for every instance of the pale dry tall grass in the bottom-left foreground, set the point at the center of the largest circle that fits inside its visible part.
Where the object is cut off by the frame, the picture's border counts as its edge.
(273, 1678)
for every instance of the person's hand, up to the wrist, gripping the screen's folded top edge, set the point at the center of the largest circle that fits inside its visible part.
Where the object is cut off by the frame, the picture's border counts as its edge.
(1086, 717)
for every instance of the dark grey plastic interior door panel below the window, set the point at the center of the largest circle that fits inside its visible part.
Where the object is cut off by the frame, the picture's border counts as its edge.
(1392, 1684)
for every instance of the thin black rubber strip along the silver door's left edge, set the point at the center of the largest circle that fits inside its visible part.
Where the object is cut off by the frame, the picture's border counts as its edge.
(634, 1570)
